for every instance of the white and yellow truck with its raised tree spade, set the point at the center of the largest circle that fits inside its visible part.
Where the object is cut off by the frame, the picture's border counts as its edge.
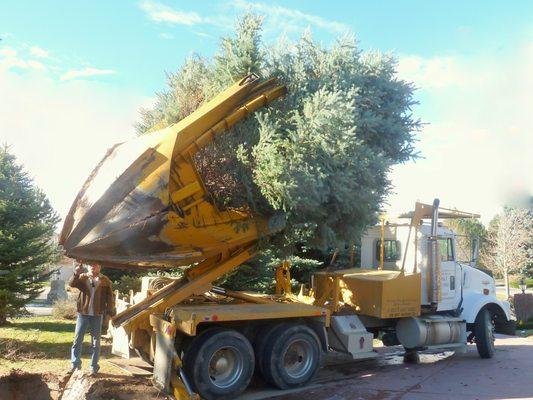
(146, 206)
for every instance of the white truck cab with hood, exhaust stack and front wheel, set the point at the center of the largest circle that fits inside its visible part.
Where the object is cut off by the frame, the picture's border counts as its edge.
(452, 288)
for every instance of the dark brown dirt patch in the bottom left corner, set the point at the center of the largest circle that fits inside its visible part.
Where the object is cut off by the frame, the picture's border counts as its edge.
(19, 385)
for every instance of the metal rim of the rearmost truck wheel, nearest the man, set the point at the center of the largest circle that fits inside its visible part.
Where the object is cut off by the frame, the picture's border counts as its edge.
(225, 367)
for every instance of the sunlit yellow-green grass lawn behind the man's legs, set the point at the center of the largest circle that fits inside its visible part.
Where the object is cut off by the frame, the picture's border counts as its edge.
(42, 345)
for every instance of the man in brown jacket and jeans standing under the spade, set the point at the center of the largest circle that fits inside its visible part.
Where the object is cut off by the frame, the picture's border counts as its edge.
(94, 301)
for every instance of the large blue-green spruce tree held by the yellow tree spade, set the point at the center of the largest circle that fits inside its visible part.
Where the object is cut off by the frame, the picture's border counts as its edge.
(322, 154)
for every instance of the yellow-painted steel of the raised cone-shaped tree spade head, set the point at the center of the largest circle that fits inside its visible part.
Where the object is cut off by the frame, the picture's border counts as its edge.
(191, 228)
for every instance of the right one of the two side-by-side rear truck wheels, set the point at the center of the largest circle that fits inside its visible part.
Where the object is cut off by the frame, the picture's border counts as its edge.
(291, 356)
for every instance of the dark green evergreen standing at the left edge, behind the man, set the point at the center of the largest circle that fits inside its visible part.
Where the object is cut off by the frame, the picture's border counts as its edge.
(27, 246)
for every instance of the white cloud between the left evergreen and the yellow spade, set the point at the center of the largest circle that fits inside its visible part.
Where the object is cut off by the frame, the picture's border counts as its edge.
(60, 130)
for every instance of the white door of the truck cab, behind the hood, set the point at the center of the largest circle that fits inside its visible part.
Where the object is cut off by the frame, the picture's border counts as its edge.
(450, 278)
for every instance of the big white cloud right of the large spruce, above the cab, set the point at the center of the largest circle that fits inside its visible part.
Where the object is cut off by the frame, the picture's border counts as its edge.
(478, 143)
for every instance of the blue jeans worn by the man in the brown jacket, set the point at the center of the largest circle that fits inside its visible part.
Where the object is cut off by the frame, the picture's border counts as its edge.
(94, 324)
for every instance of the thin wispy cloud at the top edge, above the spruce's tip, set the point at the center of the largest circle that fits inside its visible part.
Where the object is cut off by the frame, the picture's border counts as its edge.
(288, 18)
